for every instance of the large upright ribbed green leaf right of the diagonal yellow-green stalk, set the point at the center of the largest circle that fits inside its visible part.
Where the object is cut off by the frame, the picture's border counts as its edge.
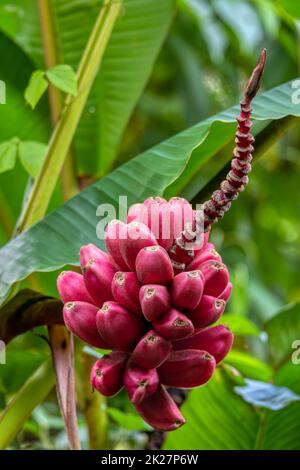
(127, 65)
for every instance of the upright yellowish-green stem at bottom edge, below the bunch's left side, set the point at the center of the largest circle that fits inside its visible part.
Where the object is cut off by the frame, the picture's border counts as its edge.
(93, 407)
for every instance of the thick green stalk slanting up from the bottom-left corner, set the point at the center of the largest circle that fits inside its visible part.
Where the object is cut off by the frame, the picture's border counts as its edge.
(33, 392)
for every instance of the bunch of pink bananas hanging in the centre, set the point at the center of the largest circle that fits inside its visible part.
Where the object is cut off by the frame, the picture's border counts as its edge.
(152, 306)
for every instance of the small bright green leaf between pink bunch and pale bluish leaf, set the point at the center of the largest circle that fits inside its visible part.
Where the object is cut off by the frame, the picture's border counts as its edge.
(249, 366)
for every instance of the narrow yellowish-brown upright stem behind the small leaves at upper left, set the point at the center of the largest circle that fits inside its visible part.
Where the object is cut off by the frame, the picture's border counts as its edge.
(52, 58)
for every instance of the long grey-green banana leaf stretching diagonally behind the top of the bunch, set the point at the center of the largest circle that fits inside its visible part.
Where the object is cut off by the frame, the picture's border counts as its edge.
(56, 240)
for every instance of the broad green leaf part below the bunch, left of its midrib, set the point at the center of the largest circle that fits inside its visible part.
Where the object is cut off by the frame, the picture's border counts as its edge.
(216, 419)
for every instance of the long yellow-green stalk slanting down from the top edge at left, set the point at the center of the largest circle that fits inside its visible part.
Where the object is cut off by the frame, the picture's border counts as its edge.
(65, 128)
